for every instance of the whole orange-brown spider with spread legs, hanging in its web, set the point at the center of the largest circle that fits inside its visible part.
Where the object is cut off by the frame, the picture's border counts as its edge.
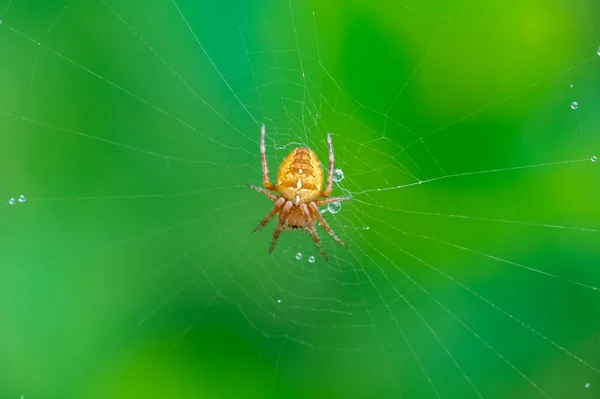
(299, 181)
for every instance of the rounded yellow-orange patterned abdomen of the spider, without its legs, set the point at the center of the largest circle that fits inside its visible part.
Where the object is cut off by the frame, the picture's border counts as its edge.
(300, 176)
